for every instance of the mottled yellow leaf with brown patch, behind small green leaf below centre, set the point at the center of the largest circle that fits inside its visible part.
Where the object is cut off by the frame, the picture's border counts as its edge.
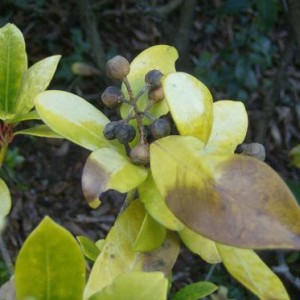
(117, 255)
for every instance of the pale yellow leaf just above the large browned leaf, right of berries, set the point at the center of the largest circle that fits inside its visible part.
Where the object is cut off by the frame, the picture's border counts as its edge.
(229, 129)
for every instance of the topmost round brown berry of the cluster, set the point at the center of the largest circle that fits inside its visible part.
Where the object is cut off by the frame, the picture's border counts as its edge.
(117, 68)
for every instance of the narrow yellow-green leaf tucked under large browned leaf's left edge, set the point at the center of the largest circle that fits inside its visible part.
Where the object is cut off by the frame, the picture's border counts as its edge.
(156, 206)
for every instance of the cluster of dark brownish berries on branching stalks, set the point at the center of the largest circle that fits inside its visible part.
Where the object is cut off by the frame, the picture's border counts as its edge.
(118, 68)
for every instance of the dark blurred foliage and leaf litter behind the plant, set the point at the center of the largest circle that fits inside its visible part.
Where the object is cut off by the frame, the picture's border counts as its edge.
(241, 49)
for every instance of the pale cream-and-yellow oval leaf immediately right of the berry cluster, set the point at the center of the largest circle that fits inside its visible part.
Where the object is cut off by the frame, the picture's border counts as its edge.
(190, 104)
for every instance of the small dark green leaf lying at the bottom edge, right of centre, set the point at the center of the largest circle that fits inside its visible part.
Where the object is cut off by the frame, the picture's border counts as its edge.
(195, 291)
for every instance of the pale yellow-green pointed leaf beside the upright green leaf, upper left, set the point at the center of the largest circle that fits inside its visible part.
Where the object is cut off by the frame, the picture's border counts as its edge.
(35, 80)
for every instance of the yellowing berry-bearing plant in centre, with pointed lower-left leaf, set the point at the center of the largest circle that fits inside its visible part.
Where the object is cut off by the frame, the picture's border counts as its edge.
(183, 183)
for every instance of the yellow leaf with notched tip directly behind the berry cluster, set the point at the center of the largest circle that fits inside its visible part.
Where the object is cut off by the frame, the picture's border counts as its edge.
(160, 57)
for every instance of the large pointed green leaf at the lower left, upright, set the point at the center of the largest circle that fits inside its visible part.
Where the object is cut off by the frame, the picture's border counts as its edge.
(50, 265)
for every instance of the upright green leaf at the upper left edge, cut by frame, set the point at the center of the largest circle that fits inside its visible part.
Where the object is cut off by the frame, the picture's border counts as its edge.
(13, 63)
